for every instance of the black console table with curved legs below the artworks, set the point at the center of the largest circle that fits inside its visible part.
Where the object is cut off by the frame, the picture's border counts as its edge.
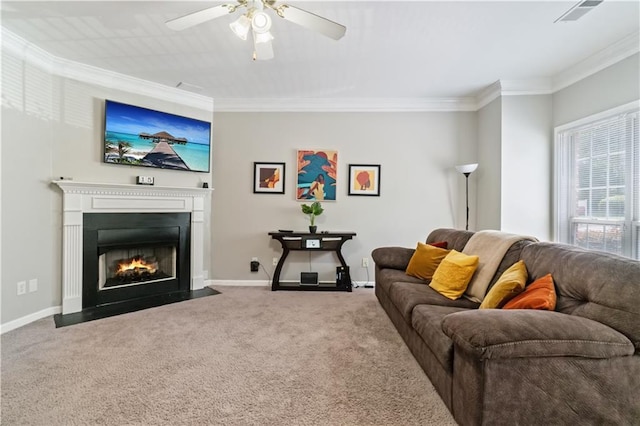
(304, 241)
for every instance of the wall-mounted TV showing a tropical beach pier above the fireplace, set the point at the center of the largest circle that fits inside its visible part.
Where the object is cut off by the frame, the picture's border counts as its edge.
(137, 136)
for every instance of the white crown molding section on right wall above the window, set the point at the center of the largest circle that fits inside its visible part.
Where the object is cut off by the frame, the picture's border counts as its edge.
(628, 46)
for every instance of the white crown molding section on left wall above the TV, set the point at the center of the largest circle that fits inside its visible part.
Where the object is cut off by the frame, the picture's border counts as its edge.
(37, 56)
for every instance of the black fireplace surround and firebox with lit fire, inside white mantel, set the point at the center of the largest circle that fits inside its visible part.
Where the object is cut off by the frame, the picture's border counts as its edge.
(128, 256)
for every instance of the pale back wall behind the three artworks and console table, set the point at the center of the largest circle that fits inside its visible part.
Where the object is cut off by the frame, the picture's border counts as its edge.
(420, 189)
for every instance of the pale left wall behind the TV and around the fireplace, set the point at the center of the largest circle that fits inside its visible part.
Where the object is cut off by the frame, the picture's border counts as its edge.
(52, 127)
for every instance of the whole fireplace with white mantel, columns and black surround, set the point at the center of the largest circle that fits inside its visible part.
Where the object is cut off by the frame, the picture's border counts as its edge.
(121, 236)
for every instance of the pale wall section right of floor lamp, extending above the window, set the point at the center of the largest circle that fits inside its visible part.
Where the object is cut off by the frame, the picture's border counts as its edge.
(515, 147)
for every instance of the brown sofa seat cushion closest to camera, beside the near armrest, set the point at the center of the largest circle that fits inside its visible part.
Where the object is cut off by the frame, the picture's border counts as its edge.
(427, 322)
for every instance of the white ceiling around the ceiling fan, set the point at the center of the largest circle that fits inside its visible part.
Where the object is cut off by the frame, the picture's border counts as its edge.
(392, 49)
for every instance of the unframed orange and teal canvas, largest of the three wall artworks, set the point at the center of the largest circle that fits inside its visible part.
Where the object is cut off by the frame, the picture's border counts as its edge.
(317, 177)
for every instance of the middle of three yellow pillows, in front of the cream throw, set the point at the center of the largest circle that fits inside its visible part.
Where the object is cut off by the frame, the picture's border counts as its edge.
(453, 274)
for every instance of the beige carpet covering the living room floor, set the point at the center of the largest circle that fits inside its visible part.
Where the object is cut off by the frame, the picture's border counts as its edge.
(248, 356)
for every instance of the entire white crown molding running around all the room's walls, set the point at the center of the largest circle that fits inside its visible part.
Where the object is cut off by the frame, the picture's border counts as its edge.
(35, 55)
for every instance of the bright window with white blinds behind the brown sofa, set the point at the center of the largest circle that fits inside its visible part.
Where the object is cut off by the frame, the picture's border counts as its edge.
(598, 182)
